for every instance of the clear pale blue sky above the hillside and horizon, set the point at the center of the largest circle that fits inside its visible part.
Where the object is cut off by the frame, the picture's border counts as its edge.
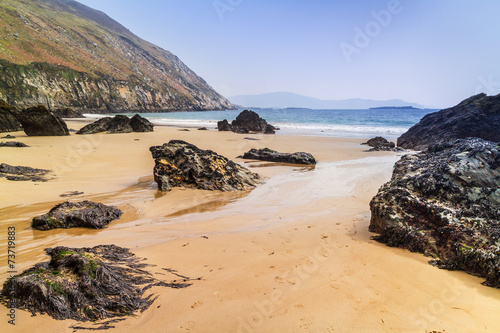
(435, 53)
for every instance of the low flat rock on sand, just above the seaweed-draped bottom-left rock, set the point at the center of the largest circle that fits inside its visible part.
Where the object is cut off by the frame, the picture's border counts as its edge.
(84, 214)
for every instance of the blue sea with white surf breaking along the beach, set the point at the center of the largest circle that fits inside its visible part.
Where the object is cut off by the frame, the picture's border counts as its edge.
(365, 123)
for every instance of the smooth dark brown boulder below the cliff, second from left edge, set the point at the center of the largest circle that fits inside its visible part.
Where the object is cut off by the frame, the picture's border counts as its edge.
(38, 121)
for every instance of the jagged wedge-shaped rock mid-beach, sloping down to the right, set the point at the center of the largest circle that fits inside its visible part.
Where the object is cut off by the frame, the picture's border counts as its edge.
(179, 163)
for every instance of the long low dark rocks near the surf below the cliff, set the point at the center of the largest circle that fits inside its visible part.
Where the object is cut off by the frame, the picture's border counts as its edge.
(118, 124)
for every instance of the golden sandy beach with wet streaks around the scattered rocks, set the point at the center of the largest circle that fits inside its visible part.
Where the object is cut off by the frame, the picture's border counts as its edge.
(293, 255)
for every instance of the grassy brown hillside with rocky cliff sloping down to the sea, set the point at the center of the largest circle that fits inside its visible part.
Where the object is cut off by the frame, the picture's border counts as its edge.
(61, 53)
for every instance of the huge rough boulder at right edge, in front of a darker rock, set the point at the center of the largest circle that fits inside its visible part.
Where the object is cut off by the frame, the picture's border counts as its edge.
(445, 203)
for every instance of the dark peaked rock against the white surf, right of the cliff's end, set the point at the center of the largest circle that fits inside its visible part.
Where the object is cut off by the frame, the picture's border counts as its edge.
(247, 122)
